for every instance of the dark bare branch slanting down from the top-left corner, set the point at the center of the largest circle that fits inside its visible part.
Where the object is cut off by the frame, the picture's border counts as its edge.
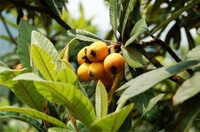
(45, 10)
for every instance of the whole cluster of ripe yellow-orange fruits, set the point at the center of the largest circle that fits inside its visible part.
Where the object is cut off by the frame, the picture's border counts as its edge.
(97, 64)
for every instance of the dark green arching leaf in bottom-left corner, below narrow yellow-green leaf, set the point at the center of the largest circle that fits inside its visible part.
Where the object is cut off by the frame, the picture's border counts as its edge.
(24, 118)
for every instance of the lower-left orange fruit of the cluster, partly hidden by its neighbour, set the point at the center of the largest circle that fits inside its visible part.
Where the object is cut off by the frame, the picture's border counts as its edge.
(83, 72)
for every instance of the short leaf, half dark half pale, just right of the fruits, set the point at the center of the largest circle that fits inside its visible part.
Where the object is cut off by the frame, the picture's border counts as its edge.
(133, 57)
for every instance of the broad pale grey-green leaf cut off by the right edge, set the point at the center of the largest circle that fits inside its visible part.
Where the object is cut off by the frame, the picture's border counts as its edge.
(188, 89)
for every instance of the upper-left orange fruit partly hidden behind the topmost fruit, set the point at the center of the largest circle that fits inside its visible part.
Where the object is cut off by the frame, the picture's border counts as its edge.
(81, 57)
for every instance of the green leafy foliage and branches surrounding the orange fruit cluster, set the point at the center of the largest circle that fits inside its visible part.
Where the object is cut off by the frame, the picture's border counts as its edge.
(151, 85)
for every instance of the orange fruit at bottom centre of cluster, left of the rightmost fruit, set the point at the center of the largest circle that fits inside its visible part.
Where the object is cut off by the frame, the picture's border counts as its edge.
(96, 70)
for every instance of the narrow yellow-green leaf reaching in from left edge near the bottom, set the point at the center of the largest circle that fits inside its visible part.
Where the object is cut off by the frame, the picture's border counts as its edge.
(33, 113)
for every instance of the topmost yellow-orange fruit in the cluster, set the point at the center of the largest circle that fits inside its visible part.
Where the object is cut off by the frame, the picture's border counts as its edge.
(97, 51)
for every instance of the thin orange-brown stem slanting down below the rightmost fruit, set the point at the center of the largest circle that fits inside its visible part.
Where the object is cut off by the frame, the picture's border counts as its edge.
(114, 86)
